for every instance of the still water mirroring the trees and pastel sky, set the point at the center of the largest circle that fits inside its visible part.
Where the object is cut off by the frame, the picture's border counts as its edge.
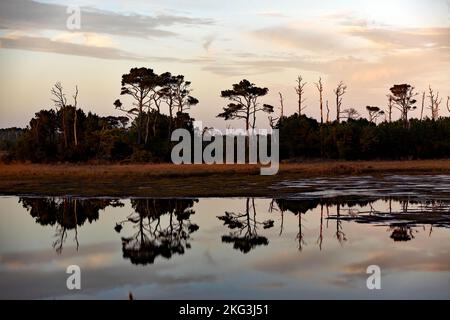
(315, 243)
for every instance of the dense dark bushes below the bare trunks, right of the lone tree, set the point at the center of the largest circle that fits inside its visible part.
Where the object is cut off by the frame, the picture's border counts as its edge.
(303, 137)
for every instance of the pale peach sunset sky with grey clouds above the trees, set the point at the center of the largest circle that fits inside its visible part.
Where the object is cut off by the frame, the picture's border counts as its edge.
(370, 45)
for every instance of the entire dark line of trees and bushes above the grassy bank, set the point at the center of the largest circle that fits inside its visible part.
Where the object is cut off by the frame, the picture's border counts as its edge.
(157, 104)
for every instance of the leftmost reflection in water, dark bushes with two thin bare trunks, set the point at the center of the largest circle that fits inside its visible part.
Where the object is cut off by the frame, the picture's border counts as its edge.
(65, 214)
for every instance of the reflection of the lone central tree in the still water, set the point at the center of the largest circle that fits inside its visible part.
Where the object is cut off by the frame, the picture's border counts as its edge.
(244, 235)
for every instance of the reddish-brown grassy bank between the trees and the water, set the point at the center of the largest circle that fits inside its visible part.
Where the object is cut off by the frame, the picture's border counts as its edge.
(166, 180)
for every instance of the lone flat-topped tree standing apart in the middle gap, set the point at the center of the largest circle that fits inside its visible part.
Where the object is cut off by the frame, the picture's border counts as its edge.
(244, 103)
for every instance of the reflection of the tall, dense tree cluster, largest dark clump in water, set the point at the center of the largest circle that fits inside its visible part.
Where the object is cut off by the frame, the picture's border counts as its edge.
(163, 229)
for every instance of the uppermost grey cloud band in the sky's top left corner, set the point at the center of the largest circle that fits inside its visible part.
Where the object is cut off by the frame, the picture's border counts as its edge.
(25, 14)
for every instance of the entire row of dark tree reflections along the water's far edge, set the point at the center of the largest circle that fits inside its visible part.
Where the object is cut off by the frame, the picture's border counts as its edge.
(163, 227)
